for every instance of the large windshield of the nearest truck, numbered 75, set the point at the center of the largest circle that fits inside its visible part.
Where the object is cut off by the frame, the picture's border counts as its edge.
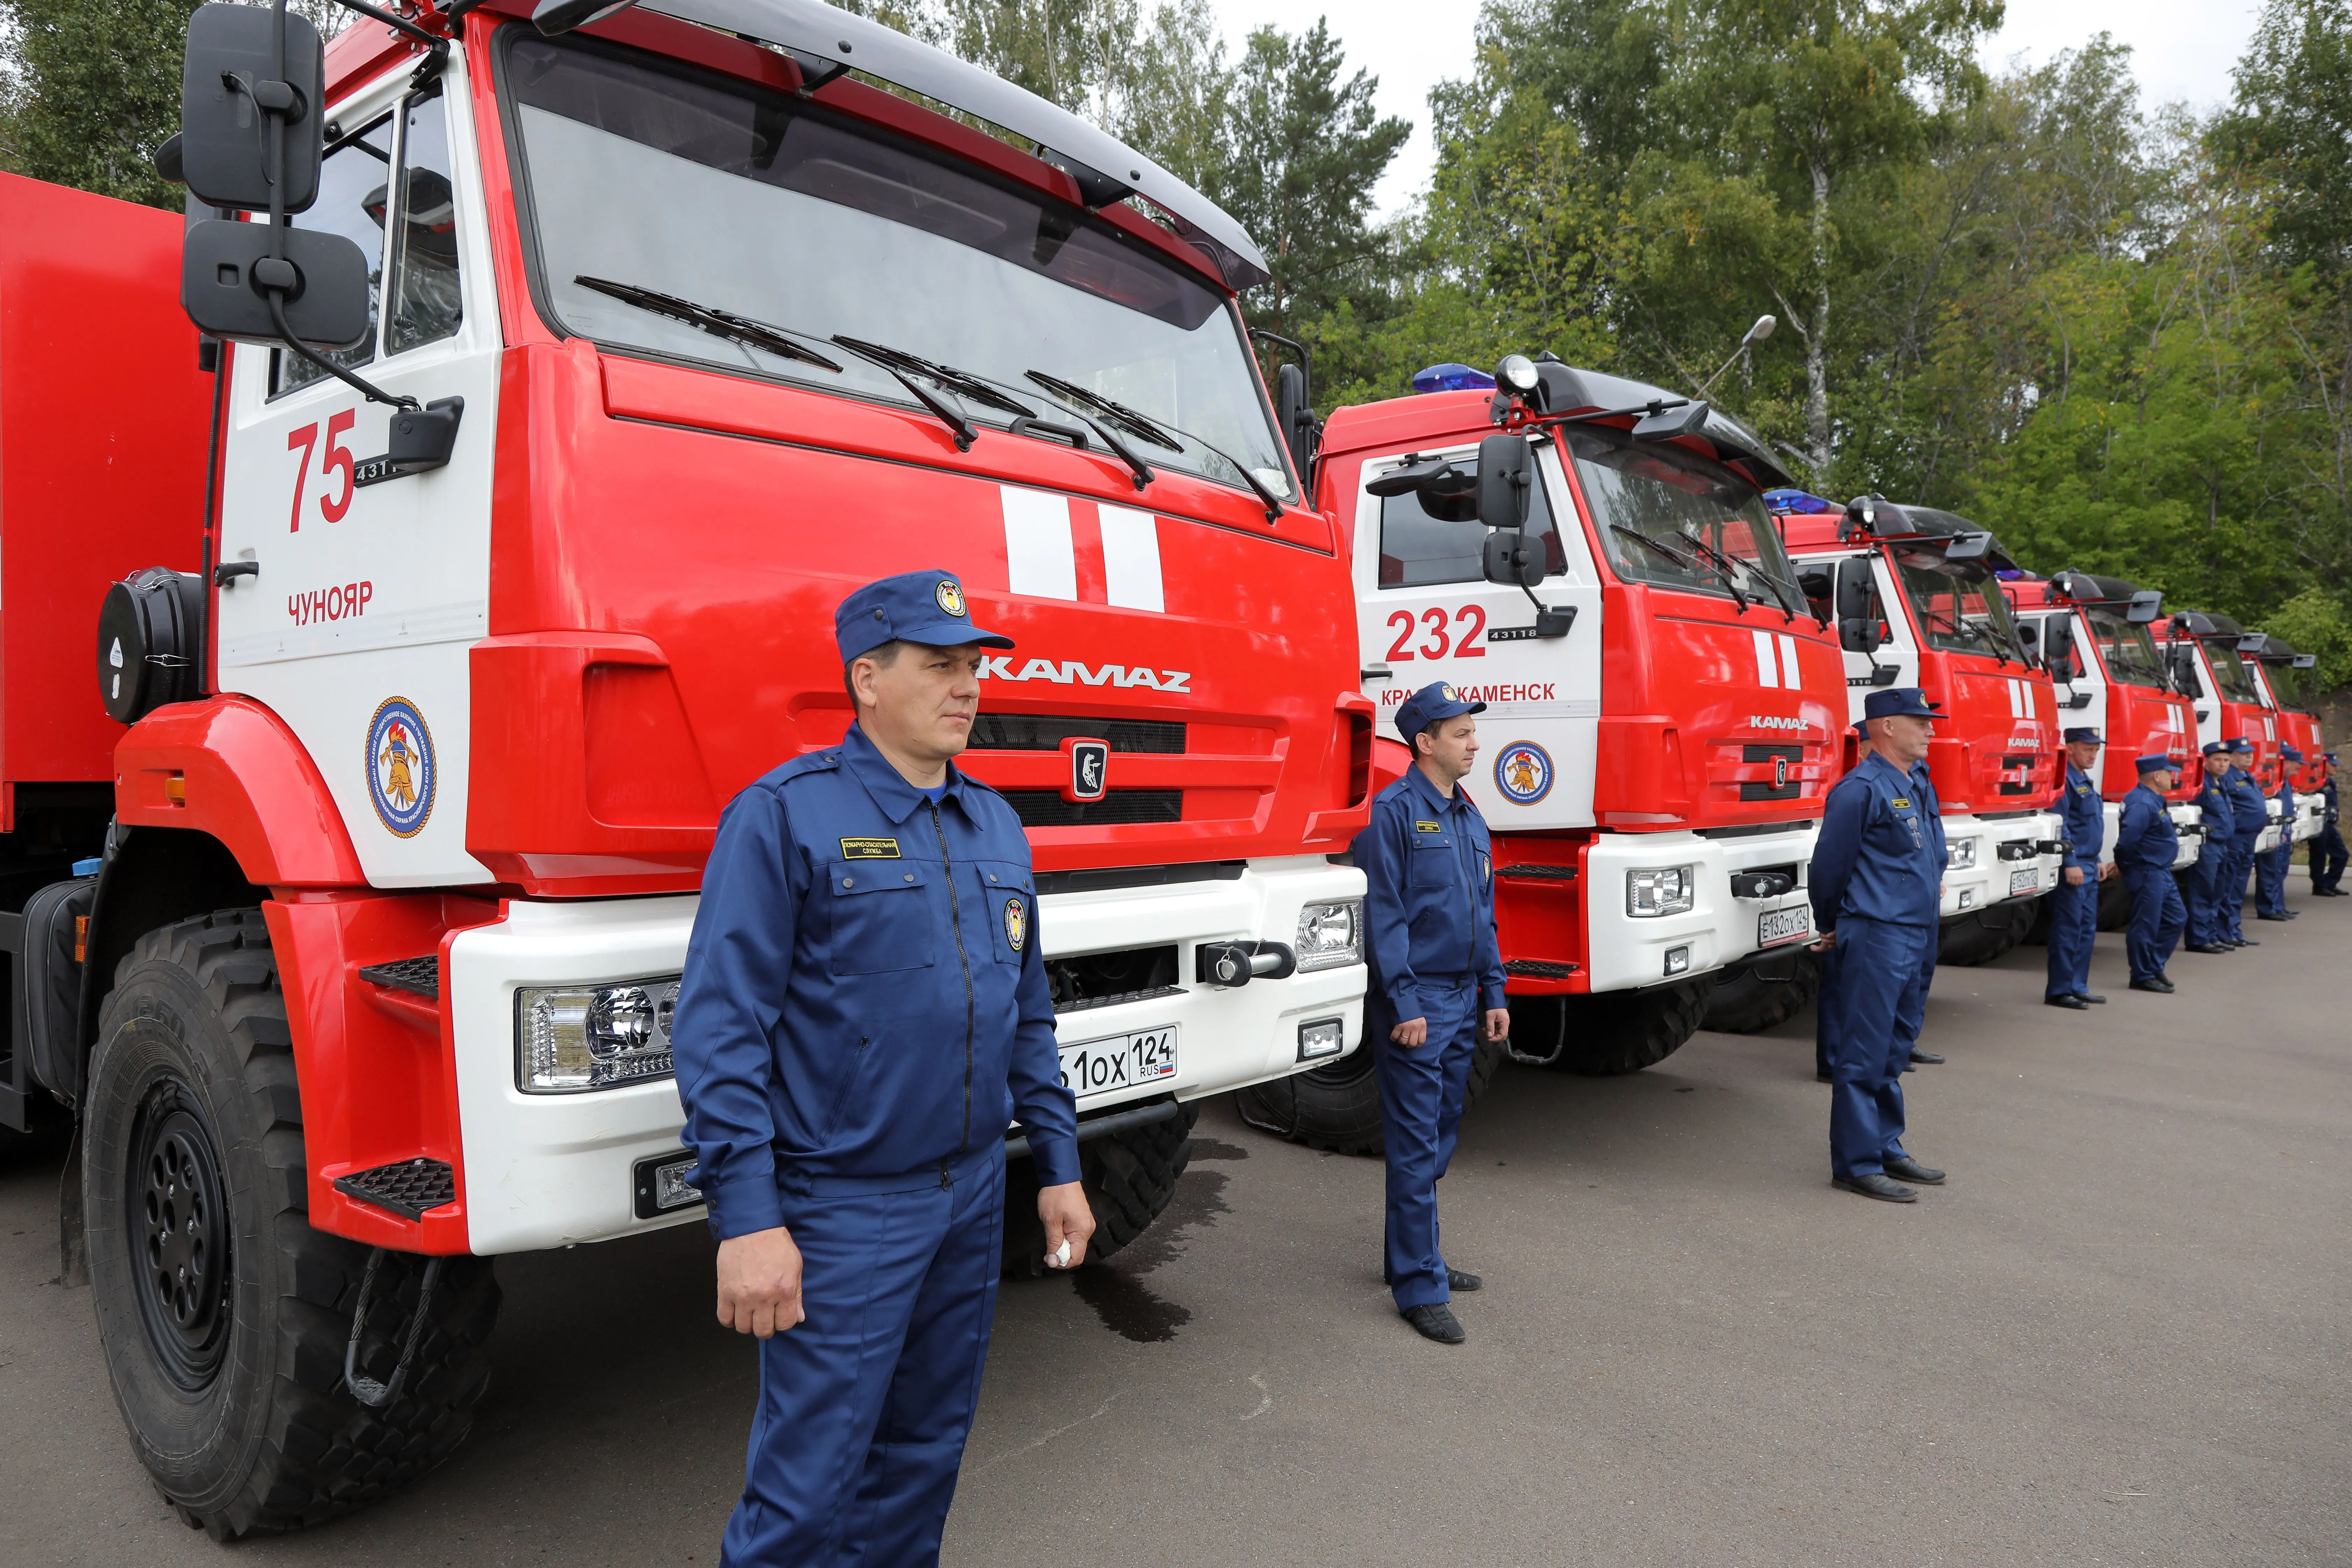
(773, 217)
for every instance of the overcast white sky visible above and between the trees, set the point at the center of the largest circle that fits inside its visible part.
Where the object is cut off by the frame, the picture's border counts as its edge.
(2181, 51)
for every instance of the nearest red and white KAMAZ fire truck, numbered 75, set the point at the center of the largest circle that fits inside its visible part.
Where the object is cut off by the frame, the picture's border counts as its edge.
(624, 351)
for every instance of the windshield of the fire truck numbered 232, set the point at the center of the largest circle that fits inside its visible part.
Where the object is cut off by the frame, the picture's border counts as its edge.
(1681, 521)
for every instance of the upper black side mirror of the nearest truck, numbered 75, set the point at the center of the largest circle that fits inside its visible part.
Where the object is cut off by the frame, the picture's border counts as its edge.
(232, 88)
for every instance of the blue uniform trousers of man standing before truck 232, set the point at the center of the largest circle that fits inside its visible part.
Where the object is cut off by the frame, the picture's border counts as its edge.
(1422, 1111)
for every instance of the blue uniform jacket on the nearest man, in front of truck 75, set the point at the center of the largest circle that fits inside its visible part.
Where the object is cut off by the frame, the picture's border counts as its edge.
(864, 991)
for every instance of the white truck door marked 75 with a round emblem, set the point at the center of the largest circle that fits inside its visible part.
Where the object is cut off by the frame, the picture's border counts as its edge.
(370, 589)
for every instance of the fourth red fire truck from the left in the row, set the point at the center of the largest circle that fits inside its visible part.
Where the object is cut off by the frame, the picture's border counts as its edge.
(2092, 636)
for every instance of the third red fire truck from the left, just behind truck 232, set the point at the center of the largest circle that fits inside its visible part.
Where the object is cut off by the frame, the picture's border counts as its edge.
(1918, 603)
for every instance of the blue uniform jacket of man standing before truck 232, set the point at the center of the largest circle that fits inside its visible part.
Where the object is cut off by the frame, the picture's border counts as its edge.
(1431, 902)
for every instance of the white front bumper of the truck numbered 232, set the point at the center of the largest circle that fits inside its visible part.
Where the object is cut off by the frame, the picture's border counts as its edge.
(1720, 927)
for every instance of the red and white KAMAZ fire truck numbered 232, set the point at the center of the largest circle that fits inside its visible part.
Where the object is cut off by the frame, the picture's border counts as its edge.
(1593, 561)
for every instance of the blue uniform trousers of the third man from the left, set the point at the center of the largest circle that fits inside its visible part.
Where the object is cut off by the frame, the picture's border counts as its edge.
(1880, 1000)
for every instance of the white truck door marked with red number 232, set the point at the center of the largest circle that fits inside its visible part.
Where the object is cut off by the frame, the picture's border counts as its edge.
(1429, 615)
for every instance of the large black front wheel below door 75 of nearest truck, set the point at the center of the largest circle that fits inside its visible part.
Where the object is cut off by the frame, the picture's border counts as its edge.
(222, 1313)
